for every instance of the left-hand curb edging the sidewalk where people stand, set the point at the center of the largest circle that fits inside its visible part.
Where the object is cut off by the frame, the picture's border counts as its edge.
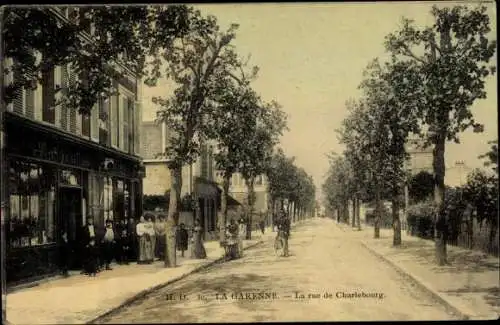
(147, 291)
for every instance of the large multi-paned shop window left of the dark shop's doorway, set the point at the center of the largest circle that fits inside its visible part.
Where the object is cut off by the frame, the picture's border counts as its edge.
(32, 204)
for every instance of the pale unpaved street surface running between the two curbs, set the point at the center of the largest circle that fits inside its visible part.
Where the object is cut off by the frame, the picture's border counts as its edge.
(324, 260)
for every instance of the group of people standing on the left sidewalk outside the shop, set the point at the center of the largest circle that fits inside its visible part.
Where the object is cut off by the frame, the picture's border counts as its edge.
(127, 241)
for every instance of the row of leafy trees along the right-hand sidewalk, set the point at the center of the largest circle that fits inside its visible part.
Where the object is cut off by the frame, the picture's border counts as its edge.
(426, 88)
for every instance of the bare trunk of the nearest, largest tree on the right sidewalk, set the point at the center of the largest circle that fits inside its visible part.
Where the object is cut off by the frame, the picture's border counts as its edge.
(439, 189)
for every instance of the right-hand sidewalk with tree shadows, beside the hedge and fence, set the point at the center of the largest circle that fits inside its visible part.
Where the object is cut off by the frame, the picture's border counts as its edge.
(469, 285)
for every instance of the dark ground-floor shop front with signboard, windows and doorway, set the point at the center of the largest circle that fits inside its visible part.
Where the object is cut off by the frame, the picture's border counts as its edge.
(55, 181)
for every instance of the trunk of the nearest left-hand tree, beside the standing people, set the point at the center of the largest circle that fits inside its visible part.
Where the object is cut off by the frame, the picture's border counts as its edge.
(173, 215)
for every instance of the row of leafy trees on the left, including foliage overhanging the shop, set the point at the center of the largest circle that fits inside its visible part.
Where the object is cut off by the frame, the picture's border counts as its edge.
(212, 95)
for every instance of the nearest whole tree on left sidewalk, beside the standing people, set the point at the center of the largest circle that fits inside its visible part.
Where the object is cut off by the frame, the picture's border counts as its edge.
(196, 63)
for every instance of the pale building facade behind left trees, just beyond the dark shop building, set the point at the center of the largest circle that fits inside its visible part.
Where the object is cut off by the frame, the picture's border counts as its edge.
(197, 178)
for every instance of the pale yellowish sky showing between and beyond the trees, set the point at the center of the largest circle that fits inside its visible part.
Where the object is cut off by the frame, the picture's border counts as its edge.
(311, 59)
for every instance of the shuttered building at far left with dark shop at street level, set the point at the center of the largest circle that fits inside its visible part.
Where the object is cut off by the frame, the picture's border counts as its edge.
(64, 166)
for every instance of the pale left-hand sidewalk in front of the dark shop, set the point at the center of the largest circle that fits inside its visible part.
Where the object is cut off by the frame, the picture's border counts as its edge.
(80, 299)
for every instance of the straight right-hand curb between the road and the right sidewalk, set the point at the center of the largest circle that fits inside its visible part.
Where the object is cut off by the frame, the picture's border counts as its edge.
(422, 284)
